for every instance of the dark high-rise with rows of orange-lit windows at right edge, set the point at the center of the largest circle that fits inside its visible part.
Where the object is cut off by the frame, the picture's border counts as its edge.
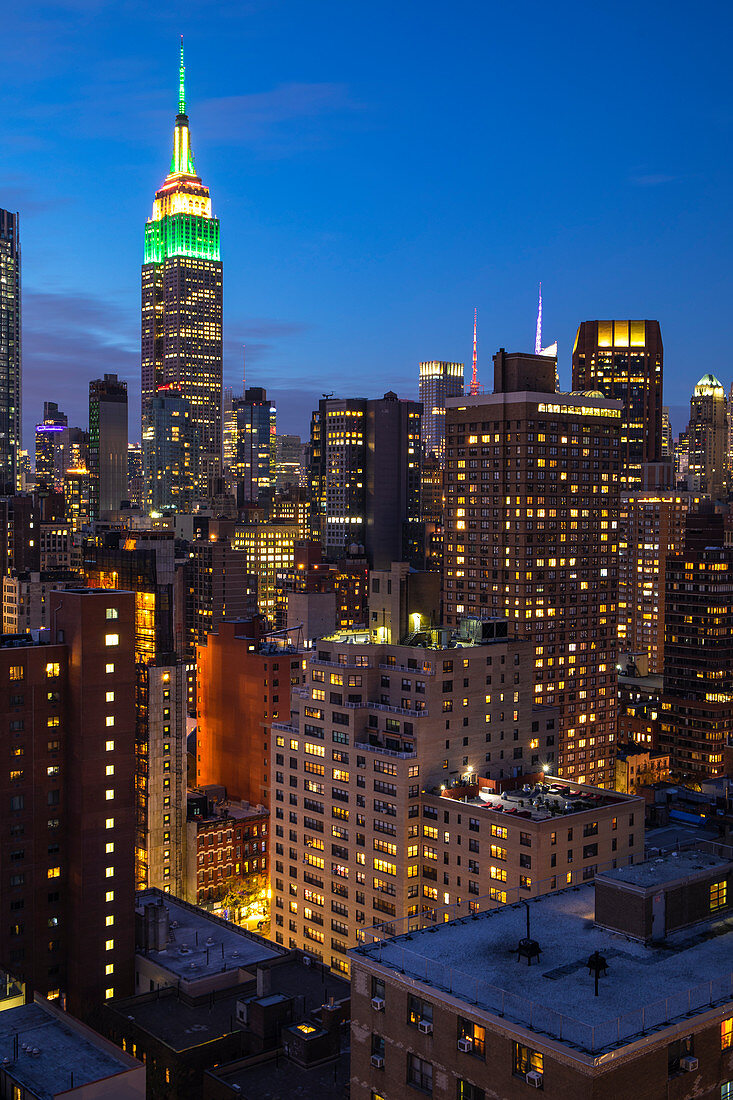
(697, 705)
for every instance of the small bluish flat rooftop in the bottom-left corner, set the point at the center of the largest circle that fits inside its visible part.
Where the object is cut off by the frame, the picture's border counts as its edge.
(53, 1050)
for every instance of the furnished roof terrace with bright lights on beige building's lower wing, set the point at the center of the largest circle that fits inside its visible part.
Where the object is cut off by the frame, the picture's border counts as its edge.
(541, 801)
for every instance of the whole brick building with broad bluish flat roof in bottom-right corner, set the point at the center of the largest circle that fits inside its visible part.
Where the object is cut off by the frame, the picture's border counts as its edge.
(612, 991)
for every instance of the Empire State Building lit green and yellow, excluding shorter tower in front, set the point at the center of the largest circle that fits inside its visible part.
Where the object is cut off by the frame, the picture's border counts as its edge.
(182, 304)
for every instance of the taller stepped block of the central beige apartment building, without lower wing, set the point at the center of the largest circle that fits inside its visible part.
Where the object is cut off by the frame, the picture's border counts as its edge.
(376, 728)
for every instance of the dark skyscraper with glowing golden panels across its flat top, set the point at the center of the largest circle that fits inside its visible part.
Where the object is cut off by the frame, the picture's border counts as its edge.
(623, 361)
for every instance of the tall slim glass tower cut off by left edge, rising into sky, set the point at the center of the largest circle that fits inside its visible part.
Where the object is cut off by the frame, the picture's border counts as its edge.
(10, 351)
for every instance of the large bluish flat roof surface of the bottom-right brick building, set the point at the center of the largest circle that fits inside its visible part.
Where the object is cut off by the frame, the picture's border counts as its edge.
(647, 987)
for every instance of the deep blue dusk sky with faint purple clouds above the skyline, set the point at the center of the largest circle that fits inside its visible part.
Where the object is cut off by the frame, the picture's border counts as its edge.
(379, 170)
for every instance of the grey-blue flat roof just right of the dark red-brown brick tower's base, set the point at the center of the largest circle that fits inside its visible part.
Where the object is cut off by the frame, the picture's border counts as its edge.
(201, 945)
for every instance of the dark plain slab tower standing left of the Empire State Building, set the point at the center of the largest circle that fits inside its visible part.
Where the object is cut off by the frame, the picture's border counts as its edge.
(108, 445)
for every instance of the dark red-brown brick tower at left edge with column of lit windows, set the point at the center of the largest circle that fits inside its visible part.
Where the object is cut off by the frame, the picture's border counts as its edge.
(68, 801)
